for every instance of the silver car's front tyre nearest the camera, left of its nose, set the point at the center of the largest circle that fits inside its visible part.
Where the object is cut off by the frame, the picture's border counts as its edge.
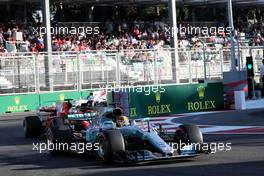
(111, 144)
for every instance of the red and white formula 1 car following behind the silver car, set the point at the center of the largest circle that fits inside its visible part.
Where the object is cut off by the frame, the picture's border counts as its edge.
(47, 119)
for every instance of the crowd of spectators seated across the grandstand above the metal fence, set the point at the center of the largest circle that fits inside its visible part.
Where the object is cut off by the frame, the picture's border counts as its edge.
(120, 36)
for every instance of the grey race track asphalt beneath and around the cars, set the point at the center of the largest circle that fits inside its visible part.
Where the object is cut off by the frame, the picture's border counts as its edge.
(246, 158)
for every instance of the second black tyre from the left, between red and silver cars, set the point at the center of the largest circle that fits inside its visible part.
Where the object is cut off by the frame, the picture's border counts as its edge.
(59, 136)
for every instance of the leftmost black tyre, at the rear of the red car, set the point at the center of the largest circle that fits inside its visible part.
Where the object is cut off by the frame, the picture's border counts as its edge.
(32, 126)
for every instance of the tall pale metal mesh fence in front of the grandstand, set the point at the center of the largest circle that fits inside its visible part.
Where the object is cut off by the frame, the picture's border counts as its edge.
(48, 72)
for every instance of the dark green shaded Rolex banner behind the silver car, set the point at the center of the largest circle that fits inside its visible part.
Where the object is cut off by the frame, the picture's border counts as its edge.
(177, 99)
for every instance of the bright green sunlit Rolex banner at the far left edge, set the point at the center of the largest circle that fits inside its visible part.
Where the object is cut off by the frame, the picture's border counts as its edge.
(18, 103)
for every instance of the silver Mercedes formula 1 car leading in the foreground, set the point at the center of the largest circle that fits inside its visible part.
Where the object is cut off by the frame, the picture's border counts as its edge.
(119, 140)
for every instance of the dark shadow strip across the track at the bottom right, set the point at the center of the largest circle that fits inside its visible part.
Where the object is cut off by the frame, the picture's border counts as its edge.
(234, 169)
